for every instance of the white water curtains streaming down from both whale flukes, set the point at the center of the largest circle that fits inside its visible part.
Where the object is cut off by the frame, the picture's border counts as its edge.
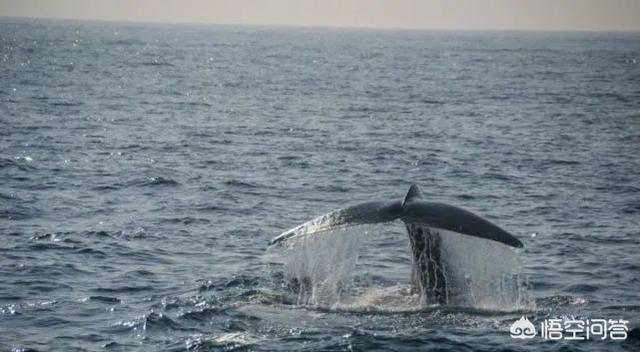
(320, 269)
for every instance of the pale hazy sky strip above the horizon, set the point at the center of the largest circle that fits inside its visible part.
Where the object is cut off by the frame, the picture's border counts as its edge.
(619, 15)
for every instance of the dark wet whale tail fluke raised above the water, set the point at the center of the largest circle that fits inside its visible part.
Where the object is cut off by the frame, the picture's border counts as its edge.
(425, 222)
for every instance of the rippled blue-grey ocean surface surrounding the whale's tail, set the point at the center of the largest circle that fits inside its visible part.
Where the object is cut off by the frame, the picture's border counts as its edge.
(144, 168)
